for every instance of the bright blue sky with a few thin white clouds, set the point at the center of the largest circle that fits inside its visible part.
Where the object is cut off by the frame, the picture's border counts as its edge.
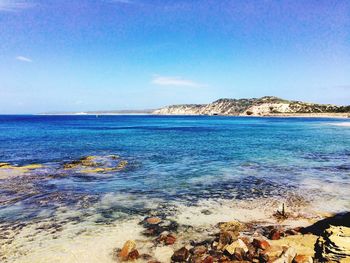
(58, 55)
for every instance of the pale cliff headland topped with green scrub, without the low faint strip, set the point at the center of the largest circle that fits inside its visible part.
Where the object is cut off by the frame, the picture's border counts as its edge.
(265, 106)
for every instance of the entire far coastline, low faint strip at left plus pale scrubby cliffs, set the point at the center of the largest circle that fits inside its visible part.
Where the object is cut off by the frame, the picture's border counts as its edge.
(267, 106)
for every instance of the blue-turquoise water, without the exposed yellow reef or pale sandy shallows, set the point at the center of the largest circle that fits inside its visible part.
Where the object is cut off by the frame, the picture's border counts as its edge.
(170, 159)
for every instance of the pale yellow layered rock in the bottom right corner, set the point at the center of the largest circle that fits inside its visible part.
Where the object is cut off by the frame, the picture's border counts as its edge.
(334, 244)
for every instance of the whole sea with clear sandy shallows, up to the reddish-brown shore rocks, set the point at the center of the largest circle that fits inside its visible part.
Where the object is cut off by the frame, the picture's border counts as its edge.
(73, 188)
